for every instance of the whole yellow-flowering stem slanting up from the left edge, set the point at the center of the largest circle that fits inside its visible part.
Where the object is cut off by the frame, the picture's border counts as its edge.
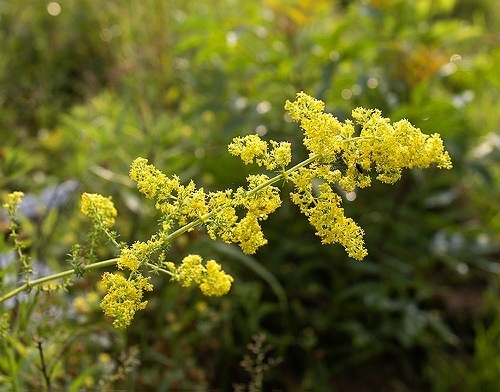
(341, 154)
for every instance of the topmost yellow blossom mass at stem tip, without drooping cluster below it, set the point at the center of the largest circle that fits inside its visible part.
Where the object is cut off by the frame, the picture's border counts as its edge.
(386, 147)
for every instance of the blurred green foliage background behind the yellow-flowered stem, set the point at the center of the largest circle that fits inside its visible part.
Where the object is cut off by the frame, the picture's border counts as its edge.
(86, 86)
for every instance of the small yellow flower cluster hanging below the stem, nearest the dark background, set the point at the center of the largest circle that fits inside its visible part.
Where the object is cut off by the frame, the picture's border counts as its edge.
(211, 279)
